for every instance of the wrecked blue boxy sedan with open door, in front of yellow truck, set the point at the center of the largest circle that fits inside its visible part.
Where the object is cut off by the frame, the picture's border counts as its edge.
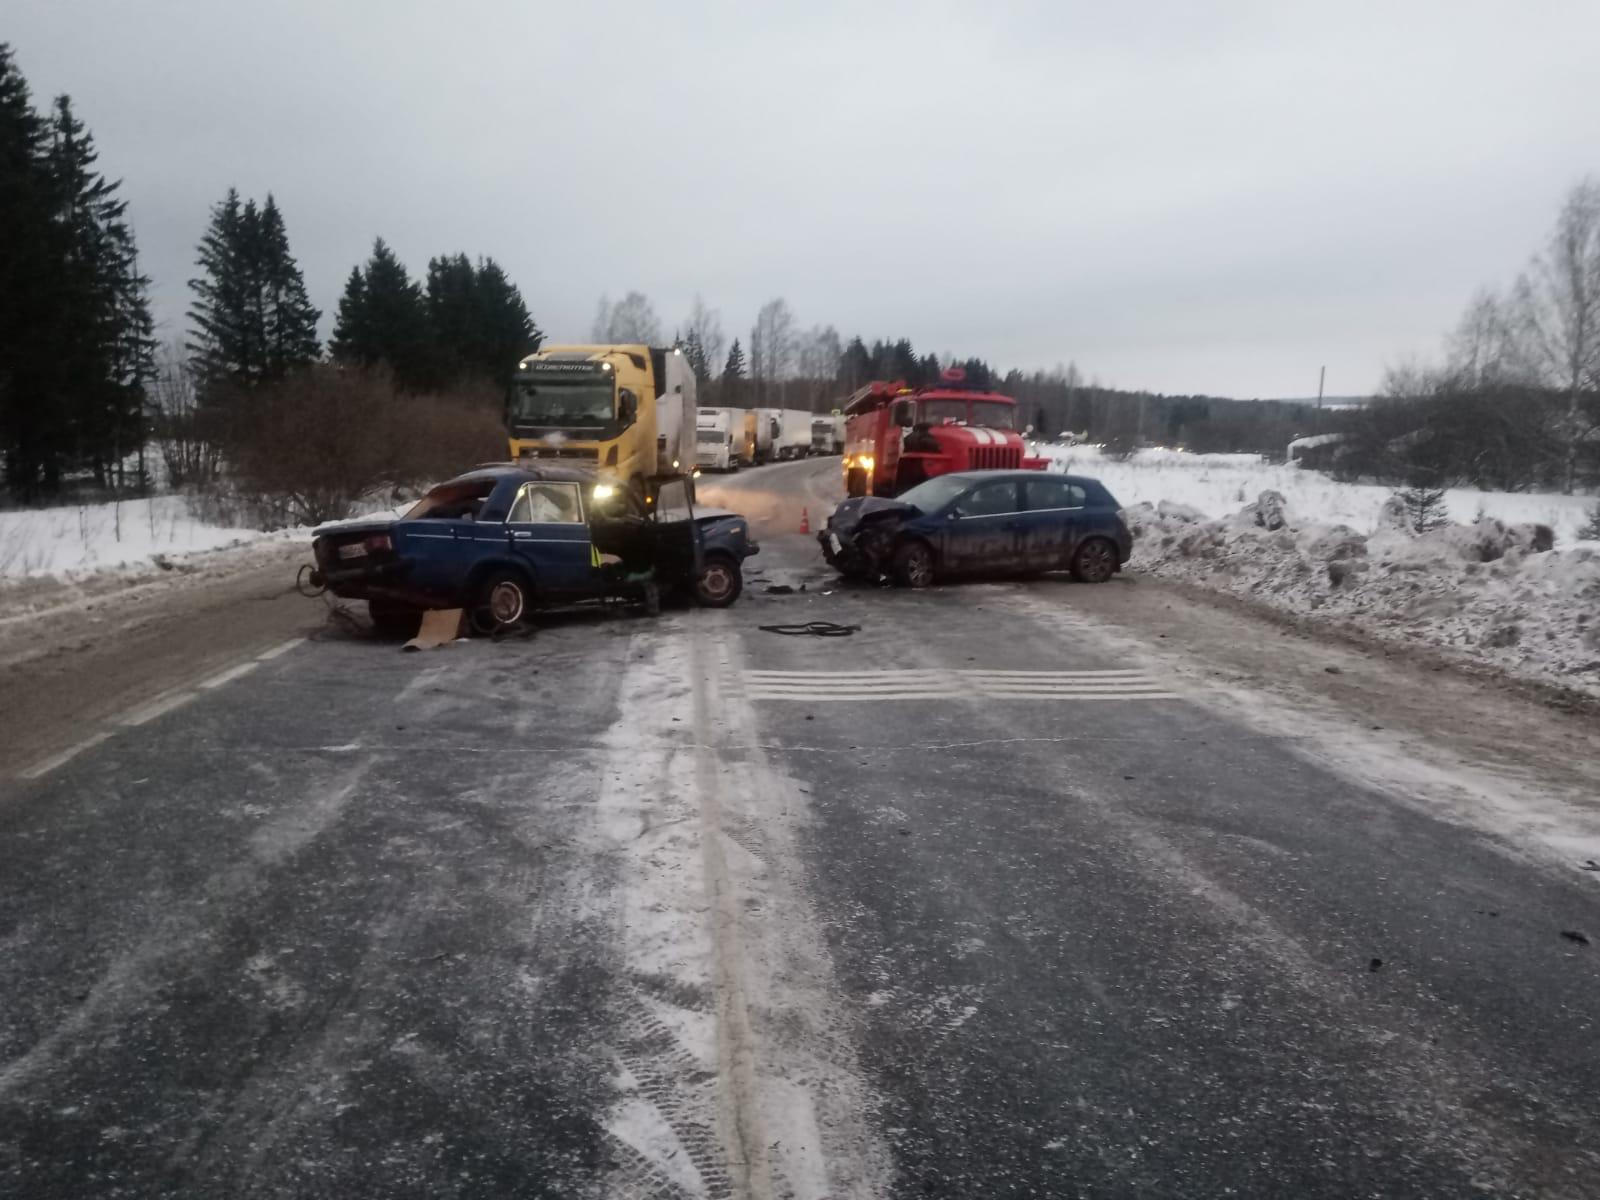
(506, 540)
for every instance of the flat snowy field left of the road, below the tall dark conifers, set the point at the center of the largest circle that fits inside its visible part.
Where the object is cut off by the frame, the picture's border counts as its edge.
(84, 538)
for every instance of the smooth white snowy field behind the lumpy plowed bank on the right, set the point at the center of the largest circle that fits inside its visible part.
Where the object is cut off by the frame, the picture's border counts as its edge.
(1220, 484)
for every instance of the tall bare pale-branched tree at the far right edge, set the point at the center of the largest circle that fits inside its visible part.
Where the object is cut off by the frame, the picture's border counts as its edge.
(1559, 310)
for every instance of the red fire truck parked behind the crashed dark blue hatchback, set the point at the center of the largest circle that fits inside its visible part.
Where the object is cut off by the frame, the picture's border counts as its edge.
(897, 438)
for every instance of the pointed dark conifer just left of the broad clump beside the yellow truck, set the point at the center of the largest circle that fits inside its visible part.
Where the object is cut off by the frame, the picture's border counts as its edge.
(383, 319)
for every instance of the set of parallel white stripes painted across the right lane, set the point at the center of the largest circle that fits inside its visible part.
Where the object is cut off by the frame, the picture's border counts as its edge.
(932, 686)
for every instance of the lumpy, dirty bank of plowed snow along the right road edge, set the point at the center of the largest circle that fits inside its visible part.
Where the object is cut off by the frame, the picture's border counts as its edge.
(1492, 591)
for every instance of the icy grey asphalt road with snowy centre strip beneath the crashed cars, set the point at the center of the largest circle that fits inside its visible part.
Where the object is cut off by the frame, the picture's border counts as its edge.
(650, 910)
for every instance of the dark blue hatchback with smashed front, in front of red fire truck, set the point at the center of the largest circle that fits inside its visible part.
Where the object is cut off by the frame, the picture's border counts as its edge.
(982, 522)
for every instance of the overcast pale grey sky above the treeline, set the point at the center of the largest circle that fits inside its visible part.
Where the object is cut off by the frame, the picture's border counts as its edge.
(1177, 196)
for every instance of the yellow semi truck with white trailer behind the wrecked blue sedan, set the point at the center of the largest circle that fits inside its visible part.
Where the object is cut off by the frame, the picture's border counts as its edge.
(626, 410)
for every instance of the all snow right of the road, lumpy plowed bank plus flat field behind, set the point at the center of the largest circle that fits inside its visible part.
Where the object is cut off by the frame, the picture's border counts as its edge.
(1489, 590)
